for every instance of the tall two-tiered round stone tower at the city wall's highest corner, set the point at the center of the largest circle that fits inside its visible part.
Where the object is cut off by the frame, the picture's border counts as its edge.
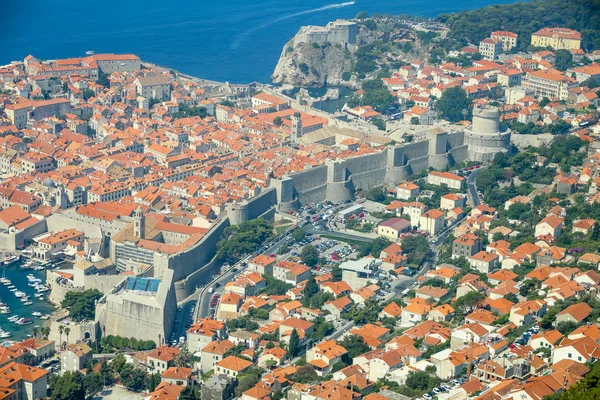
(484, 138)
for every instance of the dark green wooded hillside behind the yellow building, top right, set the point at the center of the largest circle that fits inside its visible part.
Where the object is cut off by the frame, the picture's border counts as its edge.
(528, 17)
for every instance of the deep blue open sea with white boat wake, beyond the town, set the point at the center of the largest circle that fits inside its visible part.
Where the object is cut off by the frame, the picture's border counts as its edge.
(227, 40)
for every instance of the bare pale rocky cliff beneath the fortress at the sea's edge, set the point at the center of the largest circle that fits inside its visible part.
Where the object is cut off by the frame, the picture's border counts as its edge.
(307, 65)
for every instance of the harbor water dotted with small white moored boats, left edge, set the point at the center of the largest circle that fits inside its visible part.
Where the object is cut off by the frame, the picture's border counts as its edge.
(24, 302)
